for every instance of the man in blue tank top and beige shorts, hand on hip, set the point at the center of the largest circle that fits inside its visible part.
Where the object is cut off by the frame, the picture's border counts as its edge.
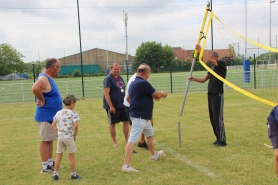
(49, 102)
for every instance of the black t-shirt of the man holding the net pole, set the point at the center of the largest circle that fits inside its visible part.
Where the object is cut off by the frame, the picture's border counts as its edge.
(215, 85)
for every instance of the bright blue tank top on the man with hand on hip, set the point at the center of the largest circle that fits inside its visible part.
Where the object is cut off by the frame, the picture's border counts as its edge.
(53, 103)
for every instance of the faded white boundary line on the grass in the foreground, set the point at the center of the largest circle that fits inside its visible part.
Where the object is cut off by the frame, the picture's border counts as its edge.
(183, 158)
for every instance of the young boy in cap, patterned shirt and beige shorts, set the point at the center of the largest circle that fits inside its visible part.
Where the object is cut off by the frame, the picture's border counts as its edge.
(65, 125)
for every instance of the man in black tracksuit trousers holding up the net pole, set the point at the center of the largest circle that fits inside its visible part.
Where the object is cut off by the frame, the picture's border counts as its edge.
(215, 95)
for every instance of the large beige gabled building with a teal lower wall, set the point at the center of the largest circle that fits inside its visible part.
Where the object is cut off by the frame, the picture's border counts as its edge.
(94, 61)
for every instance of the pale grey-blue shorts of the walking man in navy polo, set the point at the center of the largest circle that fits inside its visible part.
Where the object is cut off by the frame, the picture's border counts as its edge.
(140, 126)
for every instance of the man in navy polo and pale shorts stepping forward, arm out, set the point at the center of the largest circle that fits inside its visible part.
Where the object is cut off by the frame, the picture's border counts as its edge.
(141, 95)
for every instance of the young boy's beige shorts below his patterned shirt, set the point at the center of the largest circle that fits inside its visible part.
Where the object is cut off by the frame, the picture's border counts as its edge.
(66, 143)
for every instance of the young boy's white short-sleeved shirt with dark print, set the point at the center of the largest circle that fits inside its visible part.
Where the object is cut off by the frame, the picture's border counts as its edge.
(65, 119)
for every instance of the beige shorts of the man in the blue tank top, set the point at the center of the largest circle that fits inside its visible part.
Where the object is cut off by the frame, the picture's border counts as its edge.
(46, 131)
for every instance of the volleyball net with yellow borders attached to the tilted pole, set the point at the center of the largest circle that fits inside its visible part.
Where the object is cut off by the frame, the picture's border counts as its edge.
(253, 68)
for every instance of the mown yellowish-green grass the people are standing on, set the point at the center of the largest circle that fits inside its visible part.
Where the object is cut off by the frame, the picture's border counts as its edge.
(246, 160)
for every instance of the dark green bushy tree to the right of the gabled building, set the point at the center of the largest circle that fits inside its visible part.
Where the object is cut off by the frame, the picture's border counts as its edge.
(154, 54)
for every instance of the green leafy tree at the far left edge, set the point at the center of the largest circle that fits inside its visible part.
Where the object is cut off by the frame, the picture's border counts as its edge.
(10, 60)
